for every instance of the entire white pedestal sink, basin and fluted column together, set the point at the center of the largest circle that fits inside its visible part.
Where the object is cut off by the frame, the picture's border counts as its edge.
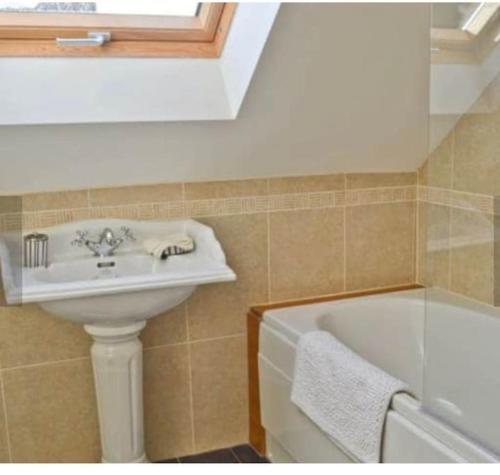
(113, 298)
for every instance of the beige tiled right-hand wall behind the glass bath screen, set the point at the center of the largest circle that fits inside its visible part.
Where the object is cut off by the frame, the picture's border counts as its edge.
(458, 184)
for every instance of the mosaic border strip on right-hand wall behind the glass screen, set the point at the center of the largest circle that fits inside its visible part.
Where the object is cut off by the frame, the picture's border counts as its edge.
(456, 199)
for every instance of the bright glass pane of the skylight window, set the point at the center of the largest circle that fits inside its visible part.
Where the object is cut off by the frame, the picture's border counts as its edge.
(119, 7)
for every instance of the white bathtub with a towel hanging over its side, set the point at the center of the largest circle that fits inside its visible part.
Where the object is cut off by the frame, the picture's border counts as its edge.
(447, 350)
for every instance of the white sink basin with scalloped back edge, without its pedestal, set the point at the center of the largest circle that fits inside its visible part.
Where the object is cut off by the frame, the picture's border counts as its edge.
(126, 287)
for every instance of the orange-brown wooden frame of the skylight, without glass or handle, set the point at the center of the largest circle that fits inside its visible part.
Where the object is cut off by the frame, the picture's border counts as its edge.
(202, 36)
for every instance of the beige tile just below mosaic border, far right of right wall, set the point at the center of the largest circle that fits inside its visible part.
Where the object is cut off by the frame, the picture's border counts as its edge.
(472, 254)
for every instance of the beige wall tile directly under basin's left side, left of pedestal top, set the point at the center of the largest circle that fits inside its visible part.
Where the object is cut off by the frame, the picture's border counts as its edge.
(29, 335)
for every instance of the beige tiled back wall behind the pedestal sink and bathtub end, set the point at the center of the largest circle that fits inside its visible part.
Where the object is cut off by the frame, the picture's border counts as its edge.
(286, 238)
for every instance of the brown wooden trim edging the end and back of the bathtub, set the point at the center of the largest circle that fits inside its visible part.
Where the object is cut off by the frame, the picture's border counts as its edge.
(257, 434)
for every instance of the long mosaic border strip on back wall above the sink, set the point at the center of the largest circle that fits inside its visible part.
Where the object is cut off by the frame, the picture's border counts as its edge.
(213, 207)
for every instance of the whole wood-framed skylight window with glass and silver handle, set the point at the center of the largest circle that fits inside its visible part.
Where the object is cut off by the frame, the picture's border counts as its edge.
(113, 28)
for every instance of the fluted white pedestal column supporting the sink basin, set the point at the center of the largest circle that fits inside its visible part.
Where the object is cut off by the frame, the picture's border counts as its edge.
(117, 363)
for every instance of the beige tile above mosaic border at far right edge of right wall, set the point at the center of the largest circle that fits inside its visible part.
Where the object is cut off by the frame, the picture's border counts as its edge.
(476, 164)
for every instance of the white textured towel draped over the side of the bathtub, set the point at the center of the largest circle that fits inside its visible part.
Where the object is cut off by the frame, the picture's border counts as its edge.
(345, 395)
